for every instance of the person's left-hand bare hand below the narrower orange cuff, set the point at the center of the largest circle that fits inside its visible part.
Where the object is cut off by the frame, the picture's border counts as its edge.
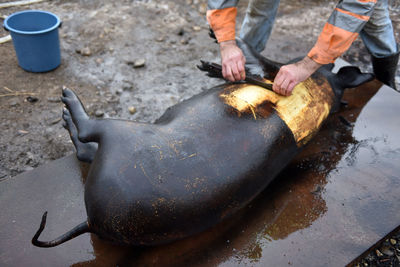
(232, 61)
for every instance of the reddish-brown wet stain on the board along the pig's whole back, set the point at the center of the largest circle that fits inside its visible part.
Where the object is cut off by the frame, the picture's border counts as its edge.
(292, 203)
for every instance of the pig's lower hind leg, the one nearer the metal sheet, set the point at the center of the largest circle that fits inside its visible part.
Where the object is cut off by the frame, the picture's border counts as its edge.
(84, 151)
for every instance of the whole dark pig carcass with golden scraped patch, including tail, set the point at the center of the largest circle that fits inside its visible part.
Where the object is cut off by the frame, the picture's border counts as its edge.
(203, 160)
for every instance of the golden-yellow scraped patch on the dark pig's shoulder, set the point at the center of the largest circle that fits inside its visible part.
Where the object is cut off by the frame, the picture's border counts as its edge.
(303, 111)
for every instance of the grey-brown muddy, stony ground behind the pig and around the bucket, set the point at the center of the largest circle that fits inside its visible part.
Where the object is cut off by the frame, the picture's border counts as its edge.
(100, 43)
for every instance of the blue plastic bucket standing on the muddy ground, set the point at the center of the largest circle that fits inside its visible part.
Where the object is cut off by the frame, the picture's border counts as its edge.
(35, 38)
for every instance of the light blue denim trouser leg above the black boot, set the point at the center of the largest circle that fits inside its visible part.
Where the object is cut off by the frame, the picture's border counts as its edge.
(377, 34)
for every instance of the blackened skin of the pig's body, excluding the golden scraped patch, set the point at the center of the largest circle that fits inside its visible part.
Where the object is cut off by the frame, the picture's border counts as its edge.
(151, 184)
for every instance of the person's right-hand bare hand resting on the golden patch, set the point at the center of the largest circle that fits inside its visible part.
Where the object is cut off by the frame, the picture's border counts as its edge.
(290, 75)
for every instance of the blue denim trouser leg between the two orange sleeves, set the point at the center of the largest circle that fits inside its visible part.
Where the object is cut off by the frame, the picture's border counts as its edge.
(258, 22)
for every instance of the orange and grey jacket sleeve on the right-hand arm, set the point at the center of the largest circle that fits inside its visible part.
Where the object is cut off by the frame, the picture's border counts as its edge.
(341, 29)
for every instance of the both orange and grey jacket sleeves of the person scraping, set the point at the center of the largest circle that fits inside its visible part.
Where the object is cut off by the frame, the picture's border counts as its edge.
(339, 32)
